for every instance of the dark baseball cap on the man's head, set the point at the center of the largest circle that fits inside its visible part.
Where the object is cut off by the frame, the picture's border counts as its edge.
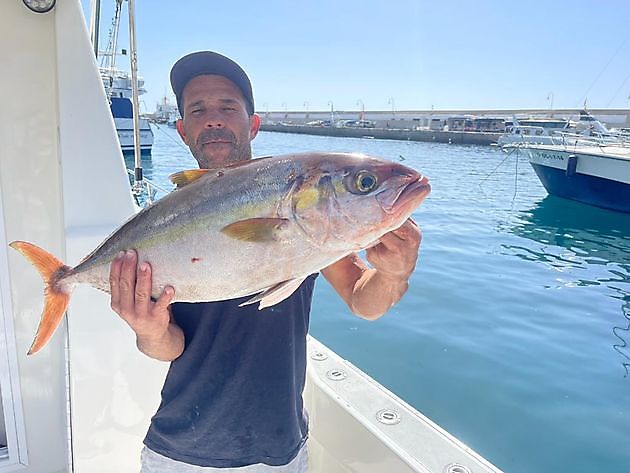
(209, 62)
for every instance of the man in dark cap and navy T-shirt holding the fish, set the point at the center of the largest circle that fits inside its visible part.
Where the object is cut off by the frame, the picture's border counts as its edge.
(233, 394)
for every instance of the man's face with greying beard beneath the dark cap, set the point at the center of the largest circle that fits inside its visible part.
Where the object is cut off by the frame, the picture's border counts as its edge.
(215, 124)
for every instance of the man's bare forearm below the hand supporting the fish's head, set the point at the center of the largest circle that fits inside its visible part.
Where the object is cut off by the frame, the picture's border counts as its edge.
(375, 292)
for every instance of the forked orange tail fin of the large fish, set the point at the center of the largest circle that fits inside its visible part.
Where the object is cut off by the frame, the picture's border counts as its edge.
(56, 295)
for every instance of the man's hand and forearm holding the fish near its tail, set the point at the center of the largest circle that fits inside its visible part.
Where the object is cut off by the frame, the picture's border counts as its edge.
(157, 335)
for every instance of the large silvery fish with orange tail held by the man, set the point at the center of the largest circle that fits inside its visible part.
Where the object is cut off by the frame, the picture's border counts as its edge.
(254, 228)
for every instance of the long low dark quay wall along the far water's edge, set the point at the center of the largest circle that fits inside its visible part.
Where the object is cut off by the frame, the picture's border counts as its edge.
(453, 137)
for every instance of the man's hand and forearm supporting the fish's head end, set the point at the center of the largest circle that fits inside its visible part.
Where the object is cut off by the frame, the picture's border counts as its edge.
(370, 292)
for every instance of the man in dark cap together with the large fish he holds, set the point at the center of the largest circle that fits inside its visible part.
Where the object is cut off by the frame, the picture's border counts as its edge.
(250, 236)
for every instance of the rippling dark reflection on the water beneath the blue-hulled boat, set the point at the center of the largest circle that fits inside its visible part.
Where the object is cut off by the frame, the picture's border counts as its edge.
(574, 235)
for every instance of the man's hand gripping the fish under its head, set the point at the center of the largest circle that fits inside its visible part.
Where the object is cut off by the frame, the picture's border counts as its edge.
(396, 255)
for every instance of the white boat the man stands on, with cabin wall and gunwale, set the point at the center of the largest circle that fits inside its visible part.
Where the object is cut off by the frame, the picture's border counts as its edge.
(84, 402)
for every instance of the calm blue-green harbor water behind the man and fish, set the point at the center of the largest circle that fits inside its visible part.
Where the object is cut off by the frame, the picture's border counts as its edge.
(514, 333)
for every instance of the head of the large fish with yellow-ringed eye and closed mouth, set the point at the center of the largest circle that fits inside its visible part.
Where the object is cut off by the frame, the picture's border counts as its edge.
(348, 201)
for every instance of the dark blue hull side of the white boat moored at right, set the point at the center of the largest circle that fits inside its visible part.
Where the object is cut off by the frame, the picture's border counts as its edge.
(583, 188)
